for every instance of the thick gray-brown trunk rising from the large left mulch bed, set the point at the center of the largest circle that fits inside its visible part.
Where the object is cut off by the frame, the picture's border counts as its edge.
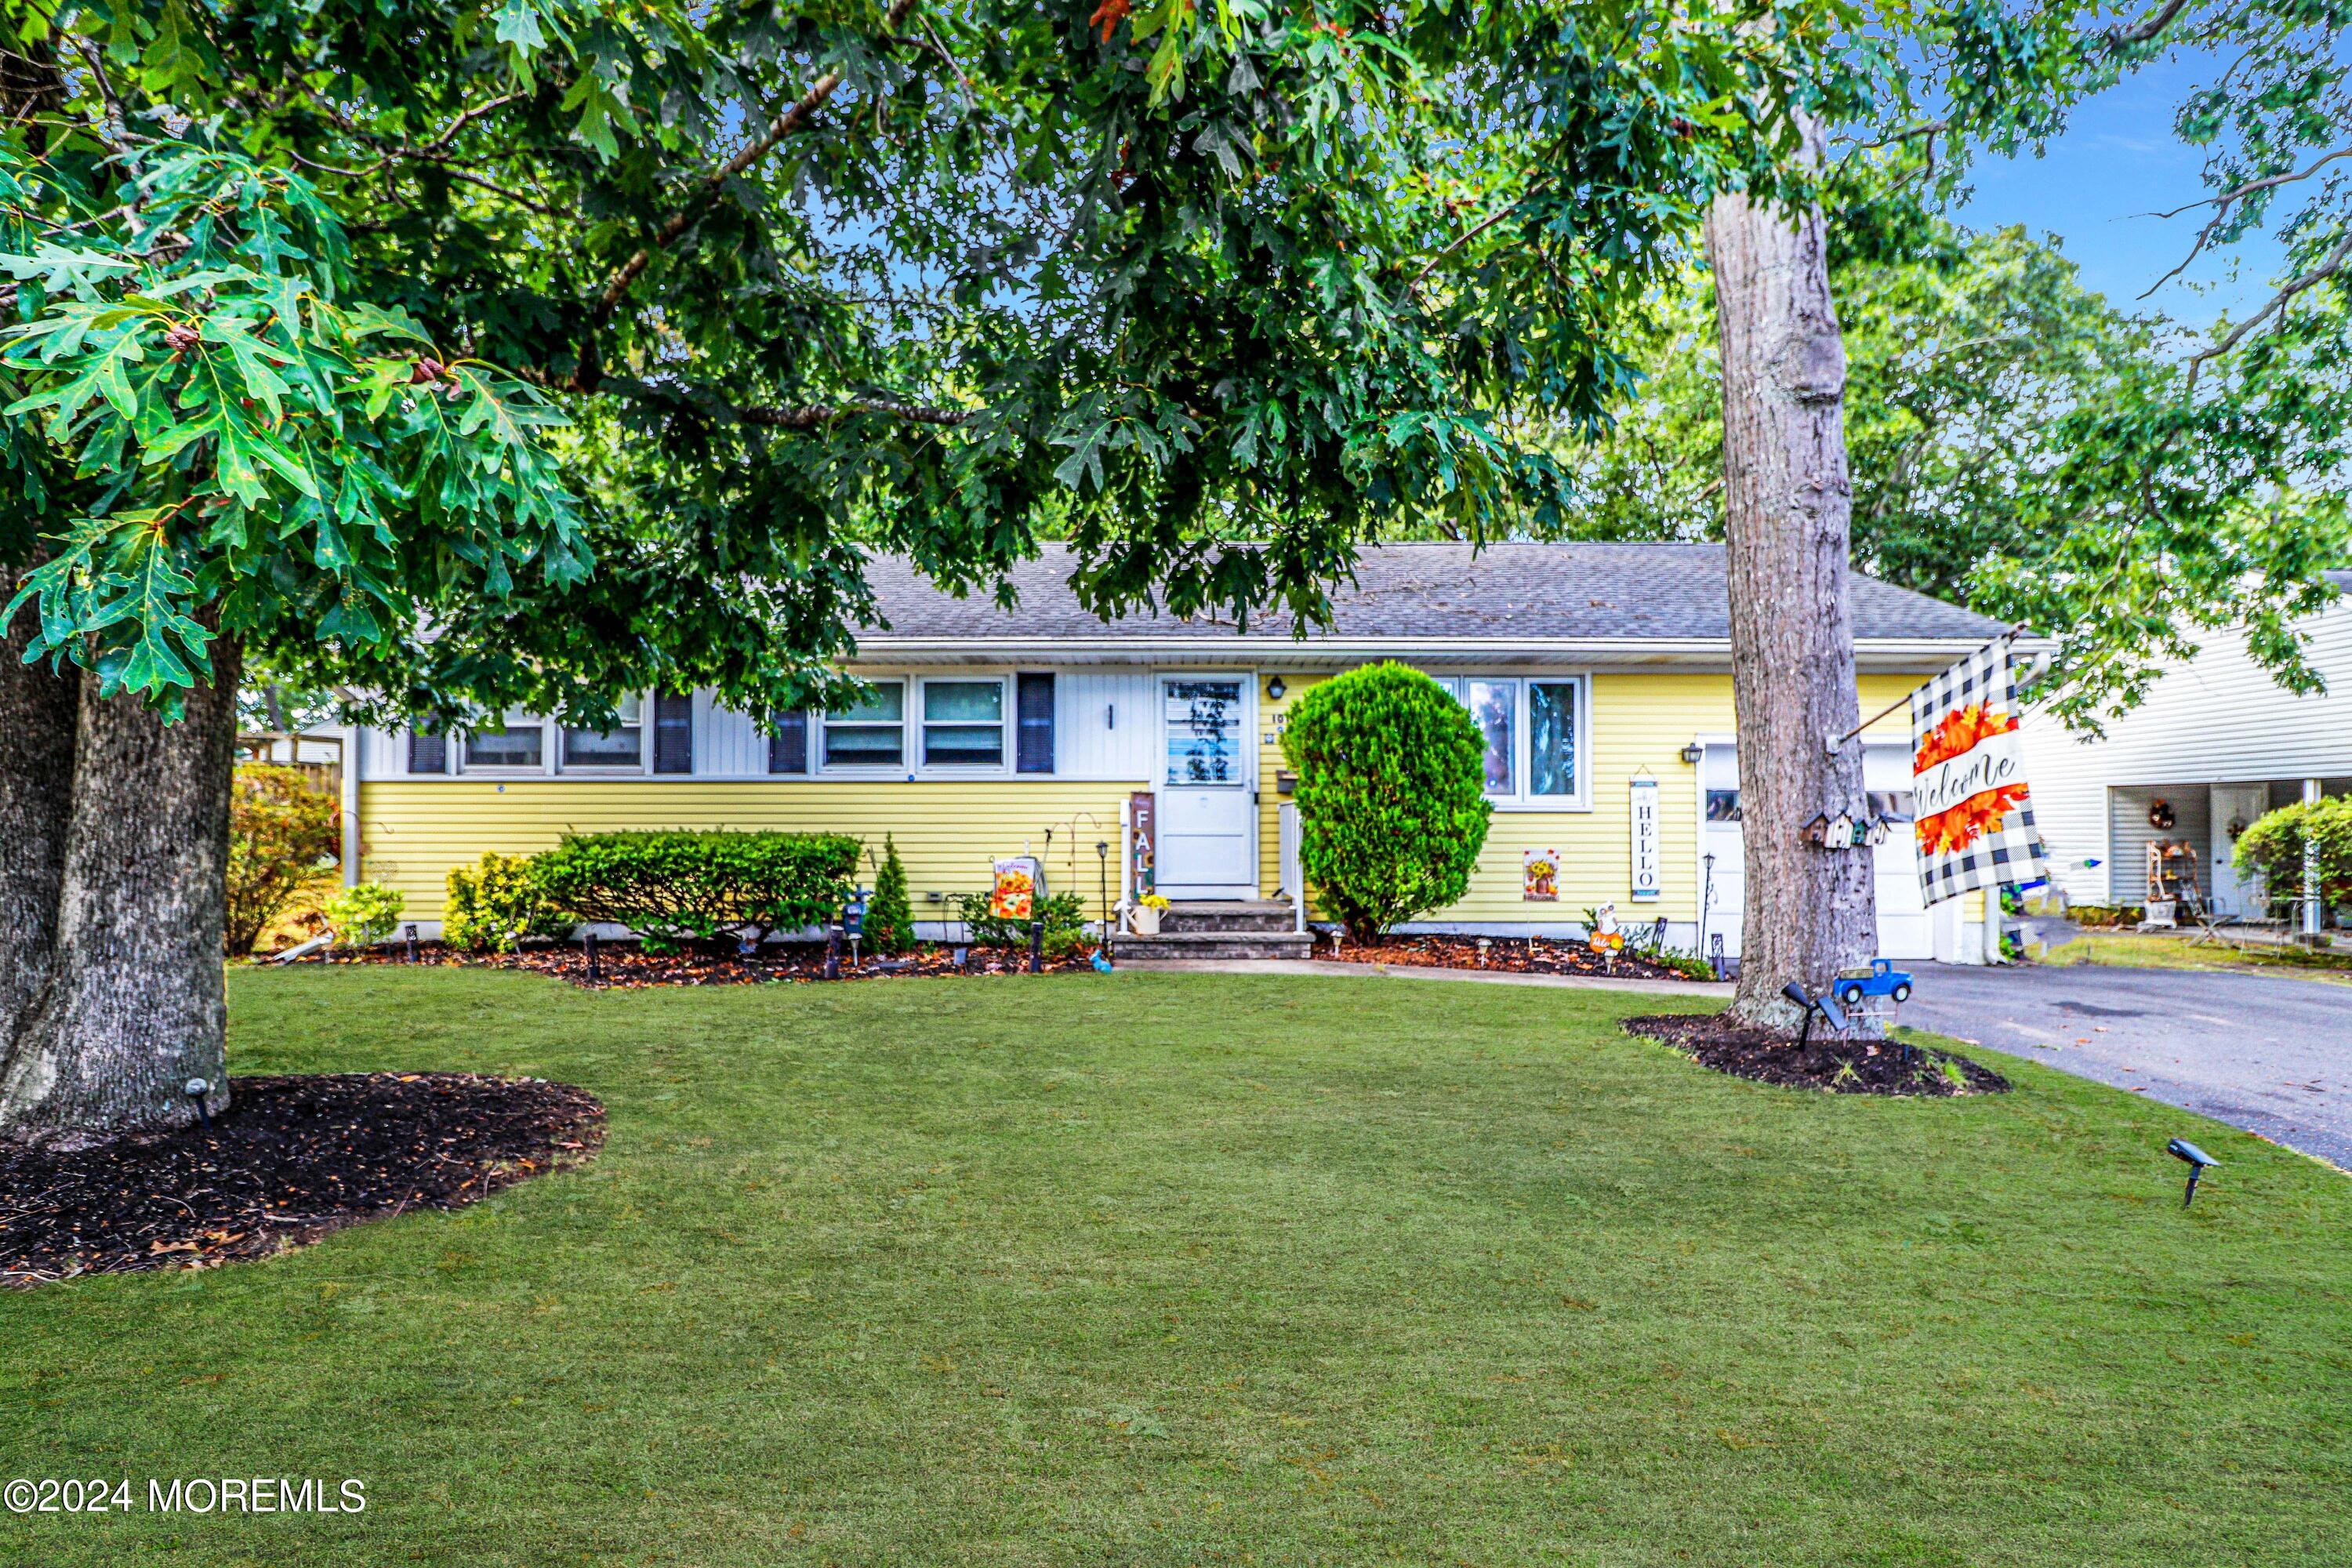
(135, 1005)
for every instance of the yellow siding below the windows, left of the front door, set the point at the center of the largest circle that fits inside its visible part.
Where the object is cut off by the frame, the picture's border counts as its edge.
(947, 831)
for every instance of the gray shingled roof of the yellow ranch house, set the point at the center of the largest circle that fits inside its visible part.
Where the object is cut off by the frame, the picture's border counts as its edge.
(1537, 591)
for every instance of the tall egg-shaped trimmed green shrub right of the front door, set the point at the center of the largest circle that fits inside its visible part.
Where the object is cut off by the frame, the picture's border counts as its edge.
(1391, 796)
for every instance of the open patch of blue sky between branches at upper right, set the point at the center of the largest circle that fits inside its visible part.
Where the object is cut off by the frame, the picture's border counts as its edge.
(2116, 163)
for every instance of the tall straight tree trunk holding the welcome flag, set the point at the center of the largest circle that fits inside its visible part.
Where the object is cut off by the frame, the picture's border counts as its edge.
(1789, 535)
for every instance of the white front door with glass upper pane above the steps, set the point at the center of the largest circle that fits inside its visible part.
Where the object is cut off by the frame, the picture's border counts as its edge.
(1208, 789)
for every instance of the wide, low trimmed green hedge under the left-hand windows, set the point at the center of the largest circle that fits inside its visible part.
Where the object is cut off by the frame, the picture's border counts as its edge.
(688, 887)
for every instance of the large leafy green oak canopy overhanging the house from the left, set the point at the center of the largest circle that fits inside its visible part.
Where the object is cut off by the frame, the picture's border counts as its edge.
(523, 351)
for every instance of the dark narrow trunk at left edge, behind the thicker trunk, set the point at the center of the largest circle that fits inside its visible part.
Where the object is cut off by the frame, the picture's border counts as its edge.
(39, 713)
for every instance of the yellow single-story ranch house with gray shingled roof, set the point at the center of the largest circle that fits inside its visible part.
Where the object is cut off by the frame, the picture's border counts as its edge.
(1147, 753)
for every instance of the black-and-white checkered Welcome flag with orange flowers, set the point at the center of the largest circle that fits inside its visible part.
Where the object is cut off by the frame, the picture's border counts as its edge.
(1972, 812)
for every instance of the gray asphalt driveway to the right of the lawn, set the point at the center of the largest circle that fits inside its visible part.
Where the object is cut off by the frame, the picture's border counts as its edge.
(2257, 1052)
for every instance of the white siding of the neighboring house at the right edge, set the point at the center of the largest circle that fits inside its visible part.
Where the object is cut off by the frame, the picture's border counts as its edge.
(2217, 718)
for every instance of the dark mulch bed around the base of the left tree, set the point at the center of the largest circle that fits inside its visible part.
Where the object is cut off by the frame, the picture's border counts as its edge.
(293, 1160)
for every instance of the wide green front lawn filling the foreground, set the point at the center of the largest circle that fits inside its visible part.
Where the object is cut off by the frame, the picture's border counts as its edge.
(1222, 1271)
